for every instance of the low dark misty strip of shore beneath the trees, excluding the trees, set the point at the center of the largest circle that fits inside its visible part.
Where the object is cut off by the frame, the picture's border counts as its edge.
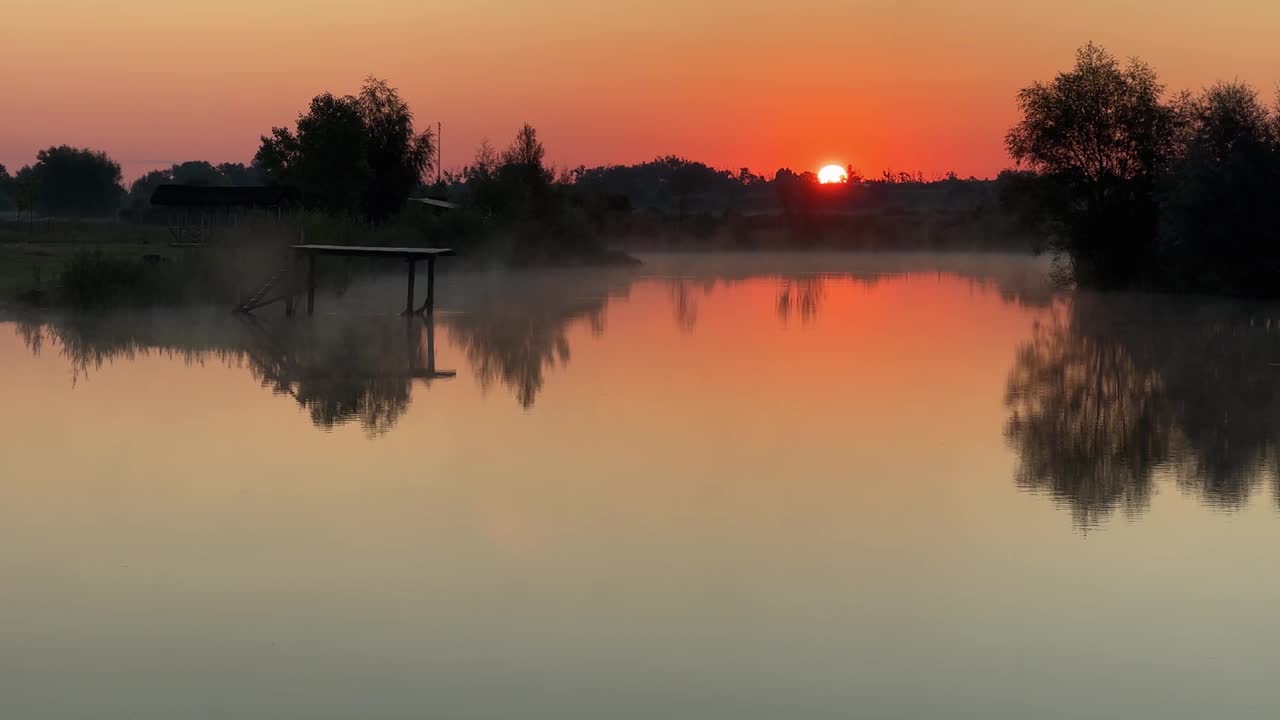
(108, 265)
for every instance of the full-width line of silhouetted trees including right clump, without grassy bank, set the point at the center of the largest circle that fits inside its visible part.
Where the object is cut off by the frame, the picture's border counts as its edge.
(1131, 186)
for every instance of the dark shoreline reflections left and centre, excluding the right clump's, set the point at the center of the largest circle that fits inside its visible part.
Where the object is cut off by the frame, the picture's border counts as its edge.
(514, 330)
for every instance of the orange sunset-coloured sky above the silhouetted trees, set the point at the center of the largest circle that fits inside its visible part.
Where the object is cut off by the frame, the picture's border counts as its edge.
(916, 85)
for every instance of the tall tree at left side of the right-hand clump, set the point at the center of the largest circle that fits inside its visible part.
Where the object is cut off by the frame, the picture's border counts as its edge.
(1104, 135)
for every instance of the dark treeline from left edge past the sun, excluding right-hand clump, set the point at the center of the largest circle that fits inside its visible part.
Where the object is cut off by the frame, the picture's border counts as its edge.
(356, 160)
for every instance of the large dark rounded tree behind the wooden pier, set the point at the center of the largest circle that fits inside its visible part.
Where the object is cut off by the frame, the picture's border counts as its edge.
(356, 156)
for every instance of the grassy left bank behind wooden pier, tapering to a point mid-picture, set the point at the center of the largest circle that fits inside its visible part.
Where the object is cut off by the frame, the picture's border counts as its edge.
(111, 265)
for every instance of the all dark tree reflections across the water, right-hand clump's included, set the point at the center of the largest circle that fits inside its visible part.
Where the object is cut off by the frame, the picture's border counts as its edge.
(1107, 397)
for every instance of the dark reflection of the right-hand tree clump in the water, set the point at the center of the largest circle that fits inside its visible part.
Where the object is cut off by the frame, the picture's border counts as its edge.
(1113, 393)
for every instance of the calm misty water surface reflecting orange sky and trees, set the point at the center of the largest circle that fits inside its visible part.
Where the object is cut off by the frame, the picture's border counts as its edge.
(715, 487)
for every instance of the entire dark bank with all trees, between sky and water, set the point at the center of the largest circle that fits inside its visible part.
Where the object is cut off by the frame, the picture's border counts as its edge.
(1128, 186)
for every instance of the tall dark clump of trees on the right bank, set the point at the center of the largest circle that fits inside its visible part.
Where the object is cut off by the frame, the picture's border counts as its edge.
(1141, 189)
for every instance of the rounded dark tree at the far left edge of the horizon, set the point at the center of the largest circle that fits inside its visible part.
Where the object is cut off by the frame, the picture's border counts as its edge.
(74, 181)
